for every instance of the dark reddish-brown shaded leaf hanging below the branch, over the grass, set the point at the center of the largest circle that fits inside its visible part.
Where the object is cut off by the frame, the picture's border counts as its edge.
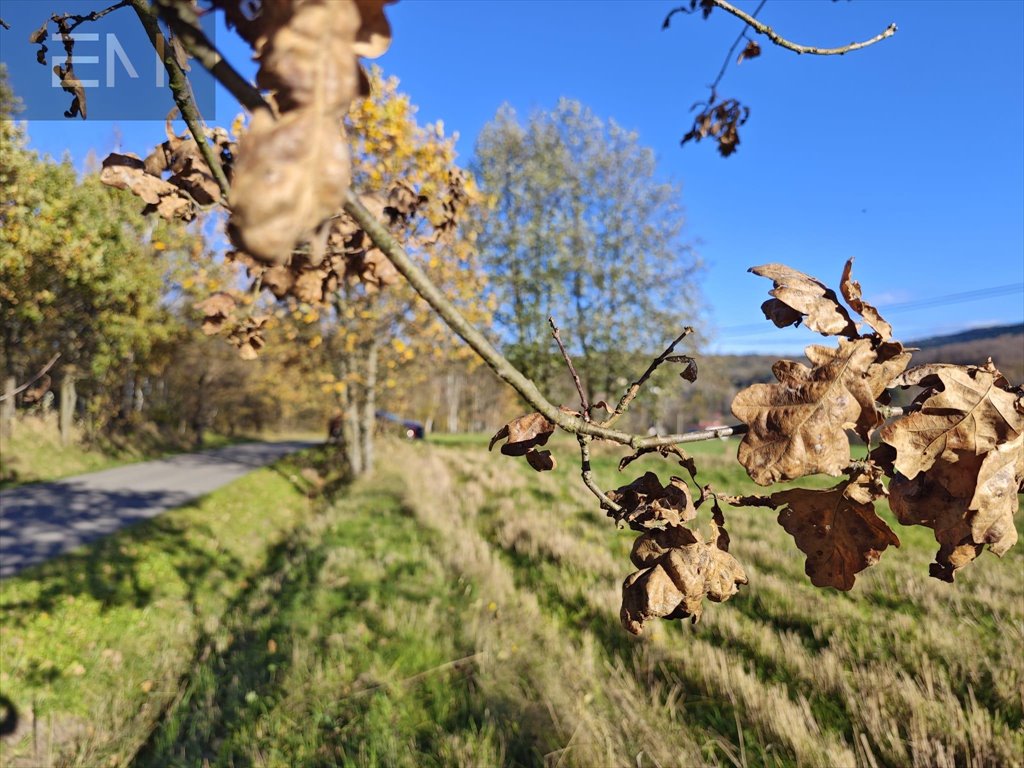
(837, 529)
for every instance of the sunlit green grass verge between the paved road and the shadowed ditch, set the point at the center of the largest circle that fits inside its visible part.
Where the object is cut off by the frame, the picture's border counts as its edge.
(94, 644)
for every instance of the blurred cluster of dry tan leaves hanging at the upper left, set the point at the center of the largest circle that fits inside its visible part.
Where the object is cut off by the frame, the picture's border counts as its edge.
(290, 170)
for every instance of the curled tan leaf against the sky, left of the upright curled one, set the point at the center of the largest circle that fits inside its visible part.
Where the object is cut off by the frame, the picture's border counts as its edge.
(818, 306)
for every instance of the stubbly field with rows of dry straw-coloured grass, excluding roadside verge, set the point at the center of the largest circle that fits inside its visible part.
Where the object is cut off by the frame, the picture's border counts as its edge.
(458, 610)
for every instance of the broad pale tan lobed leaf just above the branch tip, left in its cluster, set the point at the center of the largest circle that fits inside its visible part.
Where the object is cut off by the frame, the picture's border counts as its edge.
(798, 428)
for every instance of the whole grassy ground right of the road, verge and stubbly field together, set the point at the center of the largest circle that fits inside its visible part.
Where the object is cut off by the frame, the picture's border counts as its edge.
(456, 609)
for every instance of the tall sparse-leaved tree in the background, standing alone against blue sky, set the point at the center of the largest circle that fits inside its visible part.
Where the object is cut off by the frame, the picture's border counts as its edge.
(583, 231)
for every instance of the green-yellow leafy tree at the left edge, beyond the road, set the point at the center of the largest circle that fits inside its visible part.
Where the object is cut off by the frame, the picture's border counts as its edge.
(78, 274)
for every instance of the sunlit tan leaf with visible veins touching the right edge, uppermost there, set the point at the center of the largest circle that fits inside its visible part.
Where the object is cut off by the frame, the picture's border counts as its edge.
(965, 409)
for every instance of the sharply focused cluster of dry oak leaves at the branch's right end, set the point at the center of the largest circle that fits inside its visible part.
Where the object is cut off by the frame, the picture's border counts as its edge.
(955, 461)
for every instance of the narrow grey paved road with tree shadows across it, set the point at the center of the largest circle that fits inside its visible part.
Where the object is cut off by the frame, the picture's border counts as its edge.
(44, 521)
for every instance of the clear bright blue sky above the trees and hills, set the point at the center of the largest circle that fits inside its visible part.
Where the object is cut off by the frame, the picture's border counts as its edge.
(909, 155)
